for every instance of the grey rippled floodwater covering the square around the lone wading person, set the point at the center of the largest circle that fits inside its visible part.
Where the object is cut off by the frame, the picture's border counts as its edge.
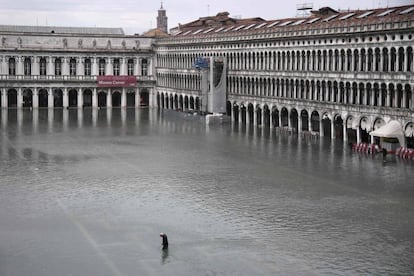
(87, 192)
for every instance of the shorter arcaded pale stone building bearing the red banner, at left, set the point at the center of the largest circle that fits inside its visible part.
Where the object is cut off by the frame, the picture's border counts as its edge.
(60, 67)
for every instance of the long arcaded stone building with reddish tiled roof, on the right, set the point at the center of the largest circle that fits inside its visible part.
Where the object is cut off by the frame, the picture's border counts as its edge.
(339, 74)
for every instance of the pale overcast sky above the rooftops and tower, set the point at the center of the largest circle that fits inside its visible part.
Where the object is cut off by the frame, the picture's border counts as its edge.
(137, 16)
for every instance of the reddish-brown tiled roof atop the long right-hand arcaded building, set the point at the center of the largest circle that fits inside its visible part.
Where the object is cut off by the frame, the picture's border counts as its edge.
(222, 23)
